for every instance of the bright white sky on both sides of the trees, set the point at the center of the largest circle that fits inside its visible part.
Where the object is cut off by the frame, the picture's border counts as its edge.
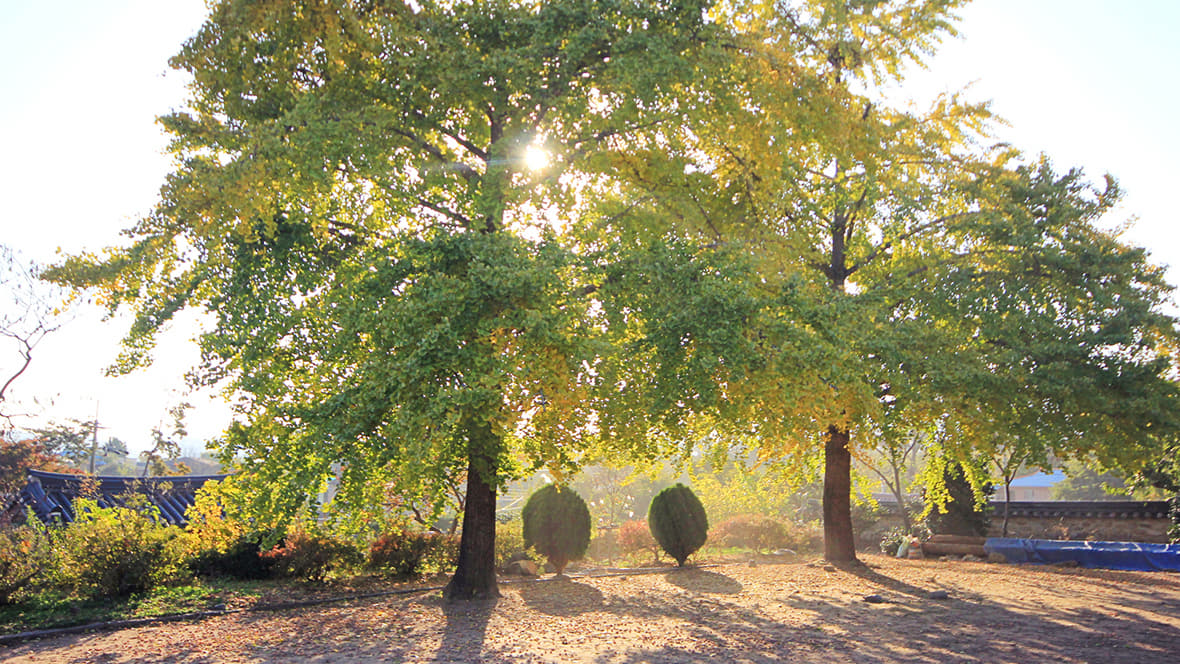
(1087, 82)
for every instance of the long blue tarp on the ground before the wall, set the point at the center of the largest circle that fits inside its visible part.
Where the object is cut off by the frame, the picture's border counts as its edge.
(1099, 555)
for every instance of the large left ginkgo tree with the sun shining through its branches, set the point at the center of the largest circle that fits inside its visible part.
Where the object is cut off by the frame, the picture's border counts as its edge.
(372, 203)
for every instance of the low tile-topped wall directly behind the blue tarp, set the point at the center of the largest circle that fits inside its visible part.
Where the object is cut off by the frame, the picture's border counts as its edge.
(1097, 522)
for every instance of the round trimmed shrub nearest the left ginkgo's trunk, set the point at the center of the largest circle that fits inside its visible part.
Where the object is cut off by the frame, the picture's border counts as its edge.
(558, 525)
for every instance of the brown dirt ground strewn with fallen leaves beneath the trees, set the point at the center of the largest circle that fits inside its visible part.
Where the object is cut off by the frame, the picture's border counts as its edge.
(739, 613)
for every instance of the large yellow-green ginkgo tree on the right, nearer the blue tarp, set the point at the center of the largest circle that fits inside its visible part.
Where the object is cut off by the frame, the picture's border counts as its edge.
(915, 277)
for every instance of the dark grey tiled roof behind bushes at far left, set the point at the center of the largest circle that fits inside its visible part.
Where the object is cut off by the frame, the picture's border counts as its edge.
(53, 495)
